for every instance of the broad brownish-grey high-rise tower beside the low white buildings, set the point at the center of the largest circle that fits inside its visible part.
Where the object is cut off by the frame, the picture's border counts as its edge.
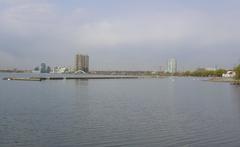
(82, 62)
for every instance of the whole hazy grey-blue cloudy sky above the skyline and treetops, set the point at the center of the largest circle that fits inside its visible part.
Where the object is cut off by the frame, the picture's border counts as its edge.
(120, 34)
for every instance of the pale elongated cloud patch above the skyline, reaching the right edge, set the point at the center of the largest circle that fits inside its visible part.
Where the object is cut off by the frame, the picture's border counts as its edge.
(178, 29)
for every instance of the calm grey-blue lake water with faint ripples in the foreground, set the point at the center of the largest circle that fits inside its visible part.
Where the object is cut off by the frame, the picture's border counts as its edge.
(122, 112)
